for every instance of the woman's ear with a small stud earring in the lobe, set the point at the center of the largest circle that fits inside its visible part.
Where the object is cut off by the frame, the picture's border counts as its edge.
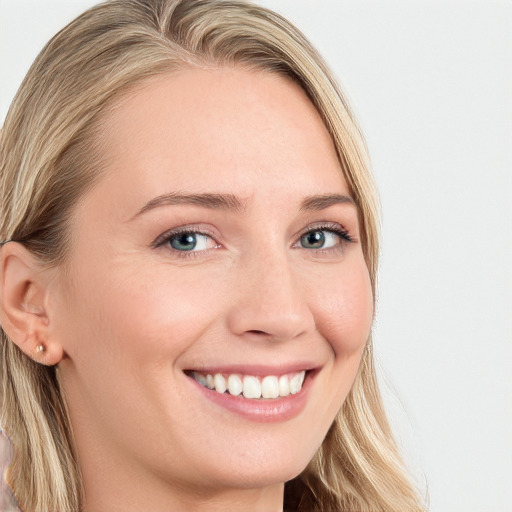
(25, 315)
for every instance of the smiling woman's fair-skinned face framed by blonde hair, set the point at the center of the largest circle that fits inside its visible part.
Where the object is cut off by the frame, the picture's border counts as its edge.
(220, 248)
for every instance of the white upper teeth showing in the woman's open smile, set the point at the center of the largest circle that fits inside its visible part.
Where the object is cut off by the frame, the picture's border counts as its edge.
(252, 387)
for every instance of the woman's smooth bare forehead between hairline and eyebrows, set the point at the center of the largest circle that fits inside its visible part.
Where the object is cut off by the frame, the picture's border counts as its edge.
(218, 129)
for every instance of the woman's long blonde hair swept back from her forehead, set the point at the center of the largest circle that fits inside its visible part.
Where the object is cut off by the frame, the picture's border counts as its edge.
(50, 155)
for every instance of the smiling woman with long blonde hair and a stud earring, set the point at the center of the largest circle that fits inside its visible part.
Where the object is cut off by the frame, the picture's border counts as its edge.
(189, 258)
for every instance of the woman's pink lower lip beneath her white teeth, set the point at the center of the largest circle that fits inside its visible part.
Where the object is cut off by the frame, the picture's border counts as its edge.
(263, 410)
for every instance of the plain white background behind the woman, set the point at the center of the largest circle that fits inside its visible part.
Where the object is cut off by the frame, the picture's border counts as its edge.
(431, 84)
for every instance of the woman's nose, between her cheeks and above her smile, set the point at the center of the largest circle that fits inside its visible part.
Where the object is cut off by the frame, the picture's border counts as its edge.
(270, 301)
